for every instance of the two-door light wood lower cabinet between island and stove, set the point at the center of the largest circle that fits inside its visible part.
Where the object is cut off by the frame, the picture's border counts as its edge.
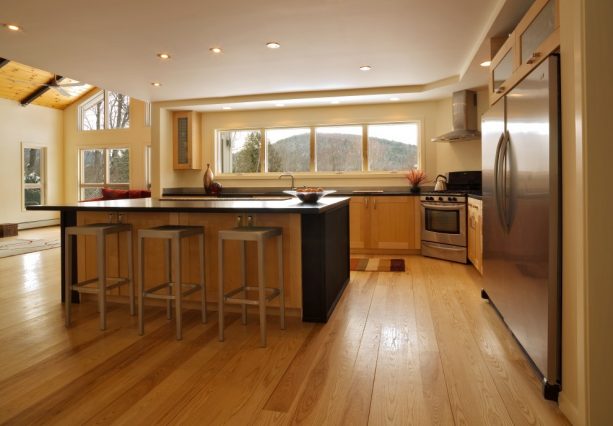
(384, 224)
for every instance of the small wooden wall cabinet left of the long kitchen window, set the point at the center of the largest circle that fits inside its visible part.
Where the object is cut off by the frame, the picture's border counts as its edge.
(186, 140)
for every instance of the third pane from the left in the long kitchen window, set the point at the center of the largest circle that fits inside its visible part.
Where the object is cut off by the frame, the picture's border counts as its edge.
(339, 148)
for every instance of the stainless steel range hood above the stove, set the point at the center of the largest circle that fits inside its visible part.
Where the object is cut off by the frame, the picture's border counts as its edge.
(464, 112)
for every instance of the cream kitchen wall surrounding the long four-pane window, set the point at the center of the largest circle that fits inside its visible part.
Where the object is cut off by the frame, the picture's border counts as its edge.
(435, 116)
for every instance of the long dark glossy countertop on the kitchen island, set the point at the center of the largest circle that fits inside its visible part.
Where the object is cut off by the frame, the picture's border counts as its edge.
(290, 205)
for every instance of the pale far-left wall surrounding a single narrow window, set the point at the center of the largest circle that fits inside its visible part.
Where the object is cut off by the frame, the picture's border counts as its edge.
(34, 125)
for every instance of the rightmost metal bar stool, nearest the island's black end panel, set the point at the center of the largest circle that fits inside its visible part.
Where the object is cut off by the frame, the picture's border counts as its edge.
(265, 294)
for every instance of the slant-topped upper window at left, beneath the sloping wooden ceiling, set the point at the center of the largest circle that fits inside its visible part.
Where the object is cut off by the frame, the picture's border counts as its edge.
(105, 110)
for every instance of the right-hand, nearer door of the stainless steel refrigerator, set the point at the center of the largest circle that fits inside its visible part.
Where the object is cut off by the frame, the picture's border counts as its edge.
(531, 176)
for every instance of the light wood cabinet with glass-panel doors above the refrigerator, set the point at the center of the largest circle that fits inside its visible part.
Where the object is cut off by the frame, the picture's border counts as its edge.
(536, 36)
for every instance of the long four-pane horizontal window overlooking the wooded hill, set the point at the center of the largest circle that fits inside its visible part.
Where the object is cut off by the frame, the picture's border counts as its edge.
(385, 147)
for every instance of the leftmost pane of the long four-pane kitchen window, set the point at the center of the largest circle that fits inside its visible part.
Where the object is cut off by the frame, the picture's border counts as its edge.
(240, 151)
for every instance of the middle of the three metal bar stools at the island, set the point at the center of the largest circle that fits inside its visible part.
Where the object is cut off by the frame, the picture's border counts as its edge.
(177, 289)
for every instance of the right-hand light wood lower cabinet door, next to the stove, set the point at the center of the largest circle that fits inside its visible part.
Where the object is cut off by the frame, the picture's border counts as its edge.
(392, 222)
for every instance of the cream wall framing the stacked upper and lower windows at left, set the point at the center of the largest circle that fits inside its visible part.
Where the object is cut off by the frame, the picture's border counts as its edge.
(136, 138)
